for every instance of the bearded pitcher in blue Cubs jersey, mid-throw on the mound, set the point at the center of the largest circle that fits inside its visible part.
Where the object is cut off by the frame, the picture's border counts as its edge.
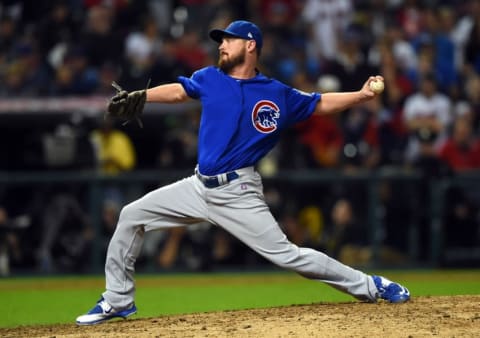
(243, 114)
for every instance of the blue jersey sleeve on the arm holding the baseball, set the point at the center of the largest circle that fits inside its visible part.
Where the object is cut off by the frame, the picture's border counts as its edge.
(301, 105)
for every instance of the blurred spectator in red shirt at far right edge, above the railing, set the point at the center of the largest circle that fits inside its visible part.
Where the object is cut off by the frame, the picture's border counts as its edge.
(461, 151)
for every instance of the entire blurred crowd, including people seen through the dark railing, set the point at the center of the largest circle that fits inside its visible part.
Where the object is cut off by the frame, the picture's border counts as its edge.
(427, 119)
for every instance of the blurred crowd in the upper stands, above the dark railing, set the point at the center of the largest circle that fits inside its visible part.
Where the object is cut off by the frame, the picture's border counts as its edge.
(427, 51)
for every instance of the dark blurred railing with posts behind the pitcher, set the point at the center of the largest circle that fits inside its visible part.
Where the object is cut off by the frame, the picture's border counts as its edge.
(296, 182)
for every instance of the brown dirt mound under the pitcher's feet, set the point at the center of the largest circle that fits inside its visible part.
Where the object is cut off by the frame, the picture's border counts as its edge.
(449, 316)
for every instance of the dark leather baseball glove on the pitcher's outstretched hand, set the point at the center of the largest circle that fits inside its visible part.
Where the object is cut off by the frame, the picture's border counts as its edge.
(127, 106)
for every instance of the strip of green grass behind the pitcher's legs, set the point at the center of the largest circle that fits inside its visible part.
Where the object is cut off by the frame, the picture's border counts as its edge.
(47, 300)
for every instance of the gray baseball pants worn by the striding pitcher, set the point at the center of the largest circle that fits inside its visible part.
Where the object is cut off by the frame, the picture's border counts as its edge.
(240, 208)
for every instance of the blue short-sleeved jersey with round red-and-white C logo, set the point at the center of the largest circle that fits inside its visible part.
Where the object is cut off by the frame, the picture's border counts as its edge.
(242, 120)
